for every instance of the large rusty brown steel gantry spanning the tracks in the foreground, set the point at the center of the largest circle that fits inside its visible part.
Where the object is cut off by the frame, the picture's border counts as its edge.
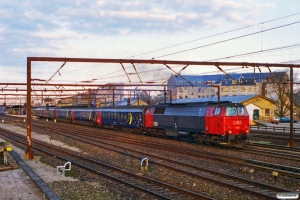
(29, 152)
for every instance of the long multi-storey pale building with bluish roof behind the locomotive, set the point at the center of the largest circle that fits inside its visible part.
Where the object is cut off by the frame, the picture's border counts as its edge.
(194, 86)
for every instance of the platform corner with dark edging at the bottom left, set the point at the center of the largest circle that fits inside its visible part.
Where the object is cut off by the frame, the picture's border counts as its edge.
(19, 181)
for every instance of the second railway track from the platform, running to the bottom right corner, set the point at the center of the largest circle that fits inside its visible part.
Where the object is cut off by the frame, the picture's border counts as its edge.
(238, 183)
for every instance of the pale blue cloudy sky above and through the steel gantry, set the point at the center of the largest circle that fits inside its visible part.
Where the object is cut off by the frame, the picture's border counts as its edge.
(192, 30)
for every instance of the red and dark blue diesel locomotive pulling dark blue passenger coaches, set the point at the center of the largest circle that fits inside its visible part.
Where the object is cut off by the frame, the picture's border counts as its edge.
(216, 123)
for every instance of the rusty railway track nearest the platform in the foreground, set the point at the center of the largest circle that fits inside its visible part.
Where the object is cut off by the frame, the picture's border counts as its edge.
(151, 186)
